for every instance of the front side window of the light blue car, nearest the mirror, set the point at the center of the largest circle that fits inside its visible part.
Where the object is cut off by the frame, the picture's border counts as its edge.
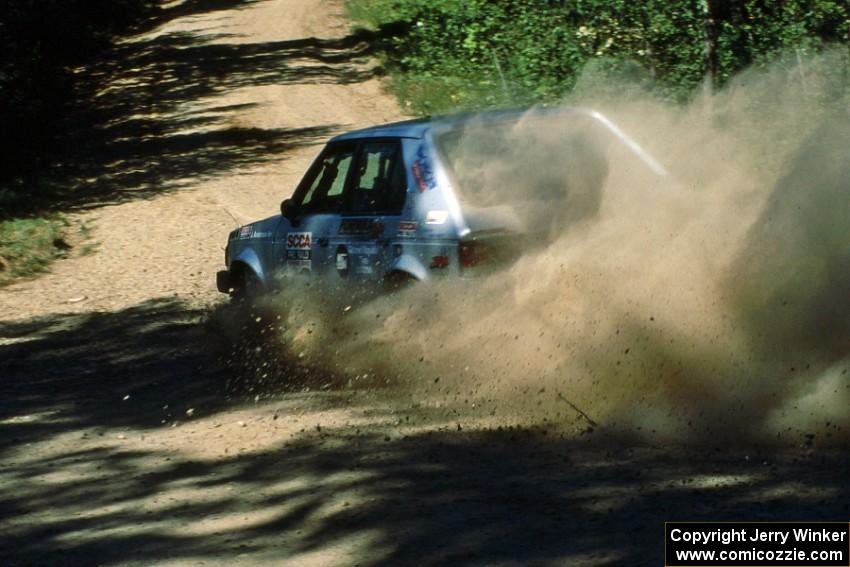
(326, 181)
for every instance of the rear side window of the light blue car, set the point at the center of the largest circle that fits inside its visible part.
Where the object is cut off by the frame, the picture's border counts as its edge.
(379, 184)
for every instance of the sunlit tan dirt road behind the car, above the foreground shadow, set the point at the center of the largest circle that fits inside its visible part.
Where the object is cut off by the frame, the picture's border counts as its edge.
(312, 83)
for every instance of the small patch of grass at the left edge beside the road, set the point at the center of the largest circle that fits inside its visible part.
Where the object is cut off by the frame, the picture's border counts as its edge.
(28, 246)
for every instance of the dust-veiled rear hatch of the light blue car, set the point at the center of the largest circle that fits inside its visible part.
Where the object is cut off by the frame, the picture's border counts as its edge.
(521, 179)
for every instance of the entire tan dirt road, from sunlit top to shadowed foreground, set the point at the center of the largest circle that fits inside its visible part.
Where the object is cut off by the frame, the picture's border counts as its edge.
(128, 437)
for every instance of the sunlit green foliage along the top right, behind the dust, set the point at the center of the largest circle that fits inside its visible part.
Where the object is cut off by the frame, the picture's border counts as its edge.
(483, 53)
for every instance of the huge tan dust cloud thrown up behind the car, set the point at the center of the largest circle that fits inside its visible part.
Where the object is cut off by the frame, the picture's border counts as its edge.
(710, 304)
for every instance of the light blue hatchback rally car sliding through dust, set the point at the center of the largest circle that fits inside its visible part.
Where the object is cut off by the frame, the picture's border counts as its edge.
(424, 199)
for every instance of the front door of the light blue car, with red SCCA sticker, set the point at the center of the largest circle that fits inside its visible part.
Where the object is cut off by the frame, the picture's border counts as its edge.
(304, 240)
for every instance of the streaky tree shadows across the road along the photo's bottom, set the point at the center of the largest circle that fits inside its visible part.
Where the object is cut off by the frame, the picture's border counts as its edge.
(442, 498)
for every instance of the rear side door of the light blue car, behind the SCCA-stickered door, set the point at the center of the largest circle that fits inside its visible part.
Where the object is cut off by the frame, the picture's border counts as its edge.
(370, 212)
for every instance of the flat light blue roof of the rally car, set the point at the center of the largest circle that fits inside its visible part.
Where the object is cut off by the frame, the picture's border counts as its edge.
(416, 128)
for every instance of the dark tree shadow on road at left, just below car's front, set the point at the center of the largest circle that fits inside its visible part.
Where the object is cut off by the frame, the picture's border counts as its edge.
(140, 367)
